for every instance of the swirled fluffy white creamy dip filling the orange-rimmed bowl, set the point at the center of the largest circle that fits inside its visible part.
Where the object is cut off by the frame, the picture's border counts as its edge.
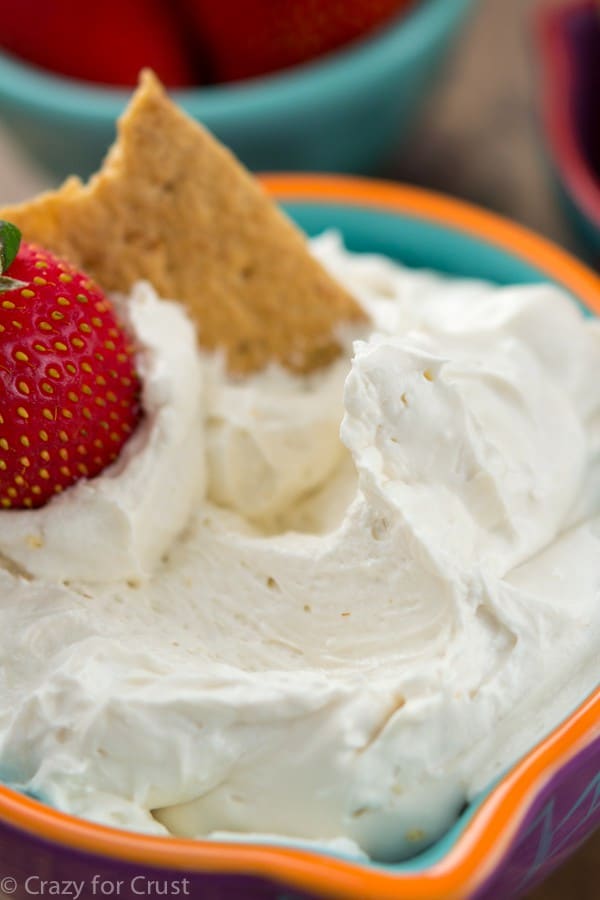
(250, 625)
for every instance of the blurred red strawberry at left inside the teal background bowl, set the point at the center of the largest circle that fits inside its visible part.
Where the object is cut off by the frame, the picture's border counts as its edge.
(106, 41)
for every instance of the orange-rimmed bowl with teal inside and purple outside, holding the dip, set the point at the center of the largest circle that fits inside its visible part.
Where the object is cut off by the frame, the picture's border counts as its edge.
(515, 832)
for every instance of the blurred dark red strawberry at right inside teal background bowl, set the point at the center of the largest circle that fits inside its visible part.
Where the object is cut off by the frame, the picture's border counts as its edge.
(251, 37)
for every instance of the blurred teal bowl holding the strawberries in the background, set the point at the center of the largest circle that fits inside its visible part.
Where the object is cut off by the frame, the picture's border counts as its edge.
(343, 112)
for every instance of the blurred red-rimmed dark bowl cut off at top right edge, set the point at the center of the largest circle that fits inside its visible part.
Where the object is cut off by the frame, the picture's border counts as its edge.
(569, 49)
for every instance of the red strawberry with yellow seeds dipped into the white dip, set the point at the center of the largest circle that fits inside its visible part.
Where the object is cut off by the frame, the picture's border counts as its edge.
(69, 394)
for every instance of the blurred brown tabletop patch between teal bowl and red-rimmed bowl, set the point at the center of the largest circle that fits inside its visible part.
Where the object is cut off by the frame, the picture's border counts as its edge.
(481, 135)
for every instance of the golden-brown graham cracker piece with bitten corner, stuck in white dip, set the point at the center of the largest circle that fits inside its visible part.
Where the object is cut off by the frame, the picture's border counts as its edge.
(172, 205)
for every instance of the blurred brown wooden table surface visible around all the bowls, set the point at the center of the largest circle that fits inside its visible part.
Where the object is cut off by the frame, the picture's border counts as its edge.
(478, 139)
